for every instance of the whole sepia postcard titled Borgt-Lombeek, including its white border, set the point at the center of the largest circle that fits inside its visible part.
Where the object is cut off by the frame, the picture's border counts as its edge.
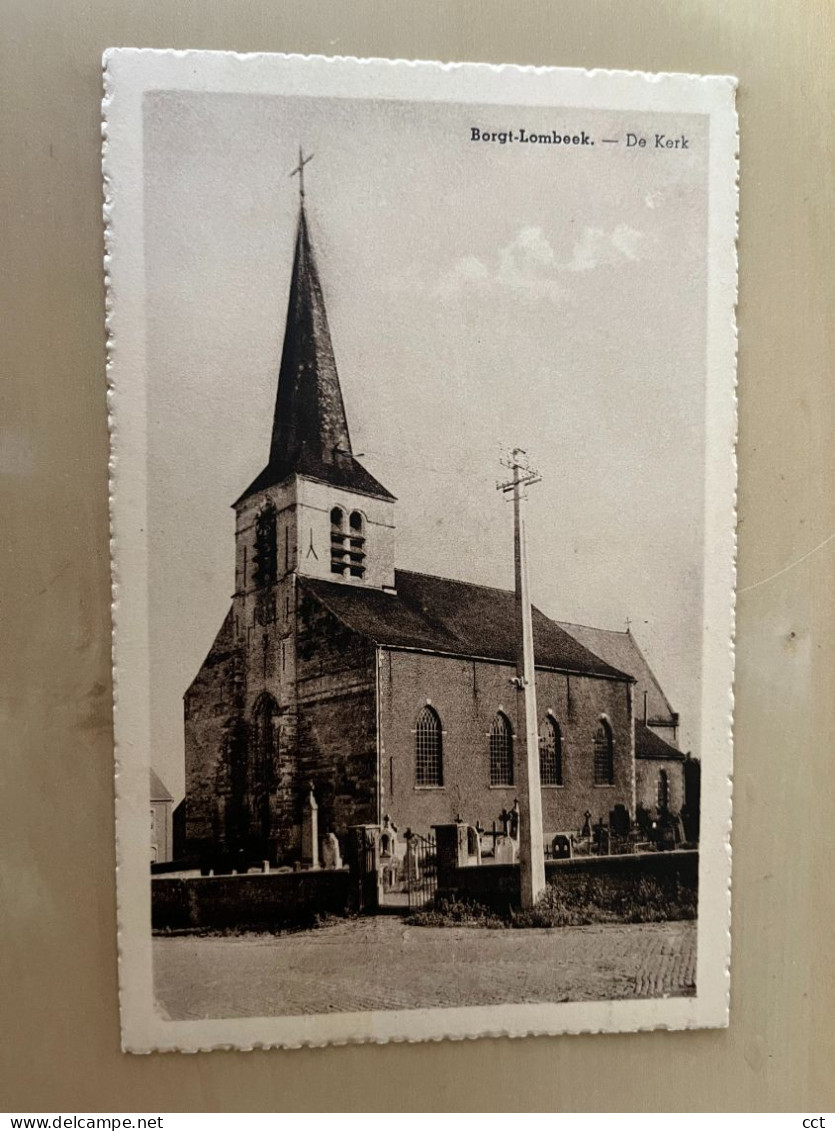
(423, 410)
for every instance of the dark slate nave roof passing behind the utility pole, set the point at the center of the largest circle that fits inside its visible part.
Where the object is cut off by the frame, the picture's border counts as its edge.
(453, 618)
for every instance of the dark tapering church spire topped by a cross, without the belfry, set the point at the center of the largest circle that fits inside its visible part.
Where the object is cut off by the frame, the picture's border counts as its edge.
(311, 433)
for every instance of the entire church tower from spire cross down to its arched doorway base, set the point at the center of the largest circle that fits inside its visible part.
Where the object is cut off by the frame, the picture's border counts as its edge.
(314, 512)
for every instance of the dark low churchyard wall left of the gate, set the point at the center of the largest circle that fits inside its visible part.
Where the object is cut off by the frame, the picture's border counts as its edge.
(268, 900)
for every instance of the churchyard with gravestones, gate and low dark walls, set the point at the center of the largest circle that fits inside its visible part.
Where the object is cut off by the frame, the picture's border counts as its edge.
(606, 865)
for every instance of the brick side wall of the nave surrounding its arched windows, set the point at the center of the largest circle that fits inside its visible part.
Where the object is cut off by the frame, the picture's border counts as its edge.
(467, 695)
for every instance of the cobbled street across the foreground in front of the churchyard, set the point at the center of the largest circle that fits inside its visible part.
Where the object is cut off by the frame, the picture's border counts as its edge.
(374, 964)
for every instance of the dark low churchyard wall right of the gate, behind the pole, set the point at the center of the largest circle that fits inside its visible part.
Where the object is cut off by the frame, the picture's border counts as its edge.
(498, 886)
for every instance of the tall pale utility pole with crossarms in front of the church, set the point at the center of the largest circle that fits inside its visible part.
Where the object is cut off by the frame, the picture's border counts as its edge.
(532, 857)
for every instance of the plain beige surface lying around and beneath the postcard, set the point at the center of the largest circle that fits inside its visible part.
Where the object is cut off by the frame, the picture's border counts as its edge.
(61, 1049)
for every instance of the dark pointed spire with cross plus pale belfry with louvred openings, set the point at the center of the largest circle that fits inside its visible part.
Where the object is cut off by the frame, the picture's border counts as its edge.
(333, 520)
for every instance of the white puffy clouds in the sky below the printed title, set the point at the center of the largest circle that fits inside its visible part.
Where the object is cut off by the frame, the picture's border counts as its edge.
(531, 267)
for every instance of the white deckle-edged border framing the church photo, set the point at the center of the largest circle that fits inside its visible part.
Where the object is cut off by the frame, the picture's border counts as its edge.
(128, 75)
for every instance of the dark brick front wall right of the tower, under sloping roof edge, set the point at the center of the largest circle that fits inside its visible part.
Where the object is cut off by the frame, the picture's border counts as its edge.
(337, 684)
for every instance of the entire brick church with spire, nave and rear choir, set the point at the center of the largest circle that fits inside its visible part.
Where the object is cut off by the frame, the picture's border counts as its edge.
(389, 692)
